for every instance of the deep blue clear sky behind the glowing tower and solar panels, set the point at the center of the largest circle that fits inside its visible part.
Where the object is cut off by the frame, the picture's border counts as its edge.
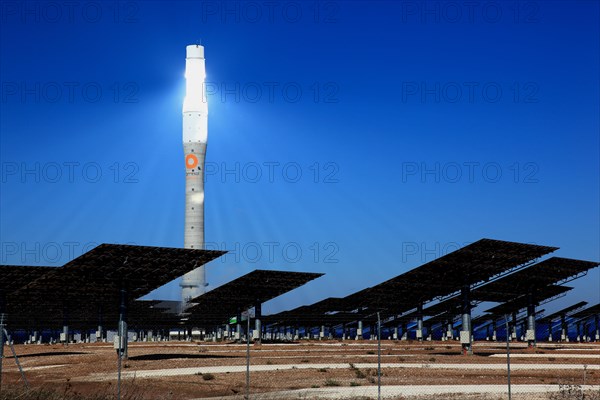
(359, 139)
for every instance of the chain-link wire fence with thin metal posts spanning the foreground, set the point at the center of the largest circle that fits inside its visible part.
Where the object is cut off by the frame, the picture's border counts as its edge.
(250, 360)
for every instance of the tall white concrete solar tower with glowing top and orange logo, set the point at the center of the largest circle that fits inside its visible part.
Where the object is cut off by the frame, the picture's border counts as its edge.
(195, 134)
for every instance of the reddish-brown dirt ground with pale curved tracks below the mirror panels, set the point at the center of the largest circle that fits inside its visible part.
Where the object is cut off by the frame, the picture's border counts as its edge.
(92, 368)
